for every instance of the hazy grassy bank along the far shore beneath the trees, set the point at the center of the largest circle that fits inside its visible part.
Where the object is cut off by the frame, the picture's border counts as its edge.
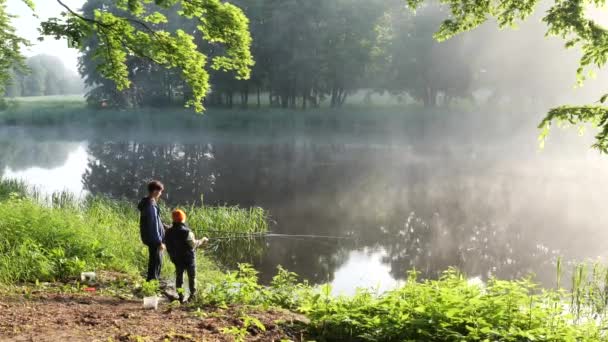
(359, 118)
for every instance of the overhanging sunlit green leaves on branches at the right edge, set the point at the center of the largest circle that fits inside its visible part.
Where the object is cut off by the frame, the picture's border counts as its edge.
(566, 19)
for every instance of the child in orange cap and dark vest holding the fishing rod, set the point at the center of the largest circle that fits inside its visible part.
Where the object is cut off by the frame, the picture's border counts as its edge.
(181, 245)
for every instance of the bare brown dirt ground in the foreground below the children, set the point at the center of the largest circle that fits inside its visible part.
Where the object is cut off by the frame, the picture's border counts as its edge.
(57, 317)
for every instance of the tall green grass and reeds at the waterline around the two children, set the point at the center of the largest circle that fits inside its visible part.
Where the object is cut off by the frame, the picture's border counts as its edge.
(56, 239)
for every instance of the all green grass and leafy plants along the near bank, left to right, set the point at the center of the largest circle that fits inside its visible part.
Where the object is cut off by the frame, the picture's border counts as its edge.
(57, 238)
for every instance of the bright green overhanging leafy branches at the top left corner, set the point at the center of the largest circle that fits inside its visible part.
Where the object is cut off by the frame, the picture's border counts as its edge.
(138, 31)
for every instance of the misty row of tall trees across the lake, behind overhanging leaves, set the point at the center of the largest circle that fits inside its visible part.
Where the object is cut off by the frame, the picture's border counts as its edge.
(319, 52)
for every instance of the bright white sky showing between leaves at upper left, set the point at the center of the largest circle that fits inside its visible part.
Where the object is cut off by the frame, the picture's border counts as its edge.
(27, 27)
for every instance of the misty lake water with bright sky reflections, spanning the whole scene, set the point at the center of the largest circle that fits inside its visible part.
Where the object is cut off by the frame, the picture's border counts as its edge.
(487, 206)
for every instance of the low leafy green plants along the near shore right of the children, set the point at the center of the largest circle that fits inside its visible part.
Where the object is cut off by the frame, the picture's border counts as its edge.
(447, 309)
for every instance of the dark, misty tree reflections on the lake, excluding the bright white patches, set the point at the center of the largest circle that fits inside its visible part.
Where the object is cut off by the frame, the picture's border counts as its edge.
(481, 215)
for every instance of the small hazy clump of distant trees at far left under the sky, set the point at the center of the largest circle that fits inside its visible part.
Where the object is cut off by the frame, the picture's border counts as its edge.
(46, 75)
